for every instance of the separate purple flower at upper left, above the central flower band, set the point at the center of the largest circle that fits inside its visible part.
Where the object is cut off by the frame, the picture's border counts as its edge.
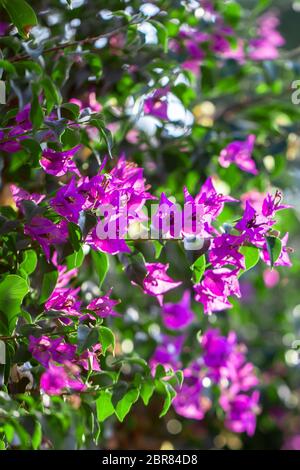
(59, 163)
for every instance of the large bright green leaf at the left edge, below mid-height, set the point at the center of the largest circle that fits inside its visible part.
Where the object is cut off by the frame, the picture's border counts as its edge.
(13, 289)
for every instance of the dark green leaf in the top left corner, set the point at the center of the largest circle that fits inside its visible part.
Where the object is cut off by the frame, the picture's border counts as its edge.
(21, 14)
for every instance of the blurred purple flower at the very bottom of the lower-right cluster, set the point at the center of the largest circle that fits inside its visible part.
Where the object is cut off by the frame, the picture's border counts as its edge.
(241, 411)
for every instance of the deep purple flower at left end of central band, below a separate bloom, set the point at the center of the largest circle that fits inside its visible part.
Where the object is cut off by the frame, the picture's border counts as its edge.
(68, 202)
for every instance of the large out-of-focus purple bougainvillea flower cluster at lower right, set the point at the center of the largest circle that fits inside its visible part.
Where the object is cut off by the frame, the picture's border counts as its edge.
(223, 364)
